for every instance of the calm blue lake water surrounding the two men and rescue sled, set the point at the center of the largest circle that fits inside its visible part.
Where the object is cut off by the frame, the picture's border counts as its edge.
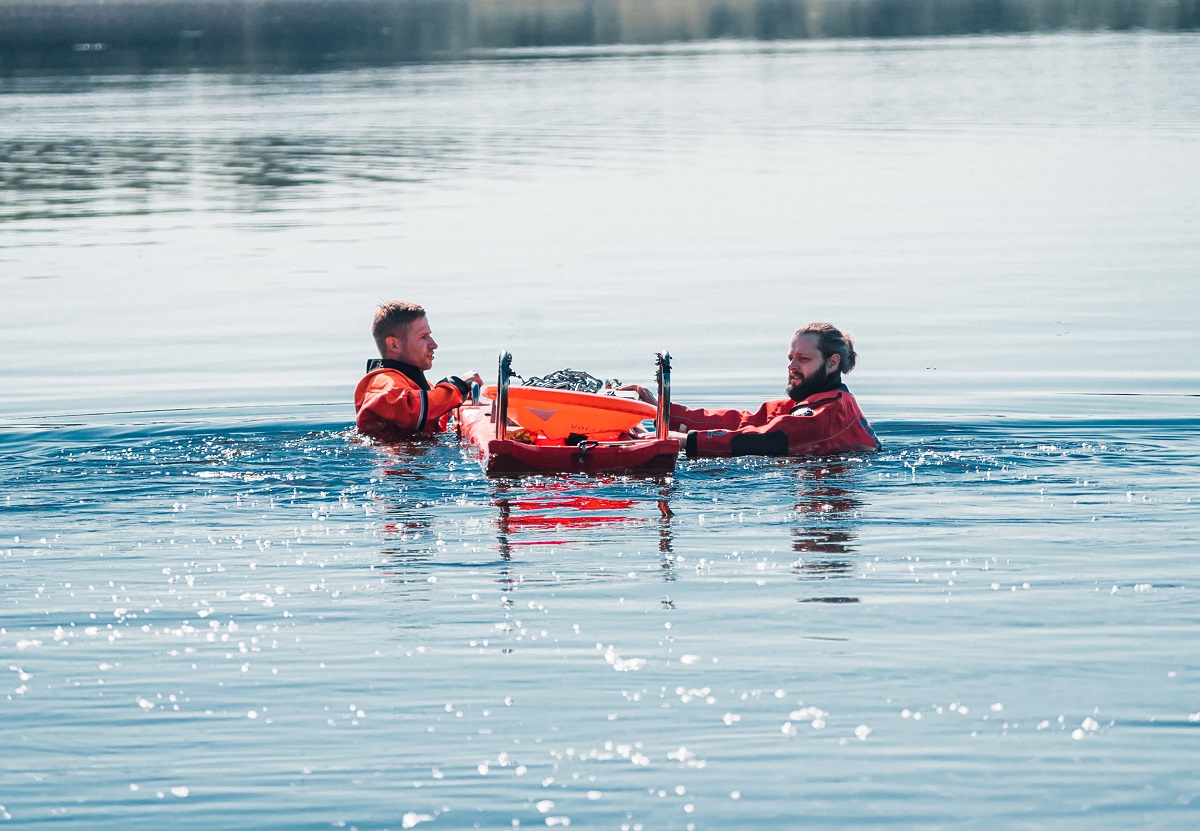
(223, 609)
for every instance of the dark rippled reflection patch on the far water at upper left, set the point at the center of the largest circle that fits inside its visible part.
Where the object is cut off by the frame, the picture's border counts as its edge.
(63, 177)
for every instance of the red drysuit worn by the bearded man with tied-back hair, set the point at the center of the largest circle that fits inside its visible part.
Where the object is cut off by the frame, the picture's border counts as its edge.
(824, 425)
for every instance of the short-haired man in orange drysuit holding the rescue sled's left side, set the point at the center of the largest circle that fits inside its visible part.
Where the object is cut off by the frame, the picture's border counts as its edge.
(394, 400)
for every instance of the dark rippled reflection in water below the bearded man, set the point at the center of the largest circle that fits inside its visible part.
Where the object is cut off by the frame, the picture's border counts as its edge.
(824, 536)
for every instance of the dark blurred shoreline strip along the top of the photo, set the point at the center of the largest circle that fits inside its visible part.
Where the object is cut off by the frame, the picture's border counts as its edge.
(289, 35)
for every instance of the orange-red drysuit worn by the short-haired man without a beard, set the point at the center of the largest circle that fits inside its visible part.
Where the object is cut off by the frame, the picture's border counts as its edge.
(395, 402)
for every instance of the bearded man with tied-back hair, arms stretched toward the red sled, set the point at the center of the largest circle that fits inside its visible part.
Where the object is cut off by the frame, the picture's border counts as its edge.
(818, 419)
